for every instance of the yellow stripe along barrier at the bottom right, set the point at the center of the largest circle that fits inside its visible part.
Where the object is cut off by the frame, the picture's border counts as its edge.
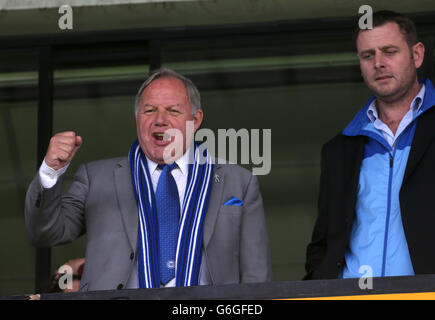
(394, 296)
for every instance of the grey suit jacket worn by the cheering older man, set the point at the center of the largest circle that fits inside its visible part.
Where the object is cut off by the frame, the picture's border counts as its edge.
(100, 202)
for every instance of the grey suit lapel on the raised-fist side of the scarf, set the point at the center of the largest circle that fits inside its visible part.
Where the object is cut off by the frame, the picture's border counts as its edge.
(126, 201)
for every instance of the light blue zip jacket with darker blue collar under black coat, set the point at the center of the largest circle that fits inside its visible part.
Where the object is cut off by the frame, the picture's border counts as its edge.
(378, 241)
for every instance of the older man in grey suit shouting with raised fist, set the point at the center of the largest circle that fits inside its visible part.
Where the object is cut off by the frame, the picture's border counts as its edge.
(150, 223)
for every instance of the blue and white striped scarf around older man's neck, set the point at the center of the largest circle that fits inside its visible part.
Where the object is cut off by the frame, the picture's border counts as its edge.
(190, 229)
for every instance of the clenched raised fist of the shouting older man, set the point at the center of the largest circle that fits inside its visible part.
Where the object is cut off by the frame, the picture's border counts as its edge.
(62, 148)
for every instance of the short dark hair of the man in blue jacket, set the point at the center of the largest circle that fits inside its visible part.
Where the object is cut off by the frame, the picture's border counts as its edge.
(406, 25)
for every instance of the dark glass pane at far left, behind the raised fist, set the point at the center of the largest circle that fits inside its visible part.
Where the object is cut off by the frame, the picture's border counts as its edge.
(18, 127)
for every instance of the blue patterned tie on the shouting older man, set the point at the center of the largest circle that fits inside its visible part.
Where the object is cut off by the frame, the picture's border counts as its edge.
(168, 215)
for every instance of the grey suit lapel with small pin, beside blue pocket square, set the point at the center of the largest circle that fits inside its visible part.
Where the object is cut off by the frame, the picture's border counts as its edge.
(214, 204)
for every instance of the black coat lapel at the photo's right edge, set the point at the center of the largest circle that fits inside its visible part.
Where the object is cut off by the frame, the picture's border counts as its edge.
(424, 134)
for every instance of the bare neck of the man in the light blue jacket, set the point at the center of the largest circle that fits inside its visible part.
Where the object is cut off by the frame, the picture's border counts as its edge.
(391, 112)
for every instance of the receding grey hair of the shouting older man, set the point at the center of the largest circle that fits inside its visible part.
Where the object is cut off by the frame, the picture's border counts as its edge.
(192, 91)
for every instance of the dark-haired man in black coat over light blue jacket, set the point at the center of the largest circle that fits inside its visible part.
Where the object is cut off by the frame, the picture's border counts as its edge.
(377, 188)
